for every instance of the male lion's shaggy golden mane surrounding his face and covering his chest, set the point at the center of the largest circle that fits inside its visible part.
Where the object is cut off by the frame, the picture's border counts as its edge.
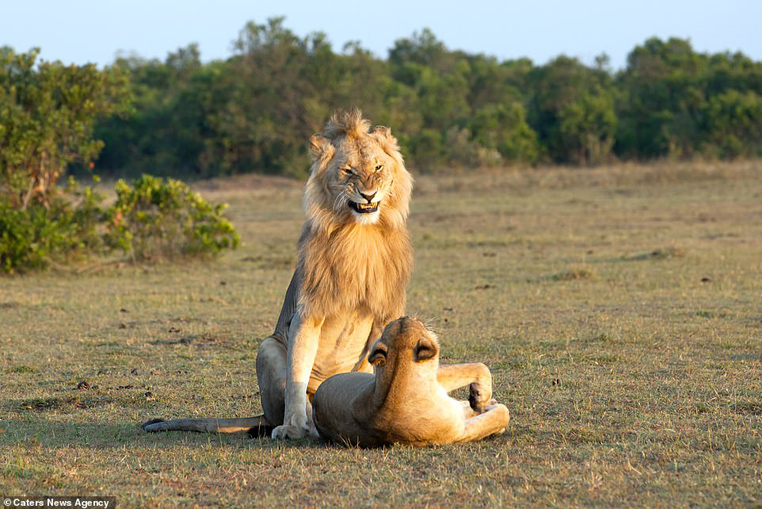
(345, 265)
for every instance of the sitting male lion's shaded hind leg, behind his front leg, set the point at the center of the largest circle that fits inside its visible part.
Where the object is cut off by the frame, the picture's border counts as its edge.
(271, 377)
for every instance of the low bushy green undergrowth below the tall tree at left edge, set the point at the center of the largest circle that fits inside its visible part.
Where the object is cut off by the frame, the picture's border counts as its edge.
(151, 220)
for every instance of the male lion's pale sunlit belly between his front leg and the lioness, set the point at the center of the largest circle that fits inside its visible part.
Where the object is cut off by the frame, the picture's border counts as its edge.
(342, 344)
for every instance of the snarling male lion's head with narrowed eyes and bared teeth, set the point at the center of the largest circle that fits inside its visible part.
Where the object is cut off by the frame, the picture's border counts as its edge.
(358, 175)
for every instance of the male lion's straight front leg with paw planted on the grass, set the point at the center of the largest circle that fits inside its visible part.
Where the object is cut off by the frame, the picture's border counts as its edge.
(304, 338)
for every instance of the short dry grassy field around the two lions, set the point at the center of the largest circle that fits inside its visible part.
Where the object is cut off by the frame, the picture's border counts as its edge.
(620, 311)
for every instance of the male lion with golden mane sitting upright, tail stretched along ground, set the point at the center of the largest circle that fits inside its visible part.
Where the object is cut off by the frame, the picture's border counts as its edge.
(354, 262)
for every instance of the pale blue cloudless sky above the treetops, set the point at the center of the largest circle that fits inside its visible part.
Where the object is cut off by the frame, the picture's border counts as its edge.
(80, 31)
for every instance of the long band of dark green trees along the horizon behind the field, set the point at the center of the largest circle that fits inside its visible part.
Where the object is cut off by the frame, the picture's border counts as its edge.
(254, 110)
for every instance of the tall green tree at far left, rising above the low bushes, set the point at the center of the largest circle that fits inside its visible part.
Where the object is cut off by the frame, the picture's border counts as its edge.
(47, 112)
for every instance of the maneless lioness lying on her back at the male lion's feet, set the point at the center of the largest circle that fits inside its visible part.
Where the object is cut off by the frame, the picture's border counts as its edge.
(406, 401)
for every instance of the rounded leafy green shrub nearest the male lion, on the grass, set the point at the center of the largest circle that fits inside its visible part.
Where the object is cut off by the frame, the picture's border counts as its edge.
(154, 219)
